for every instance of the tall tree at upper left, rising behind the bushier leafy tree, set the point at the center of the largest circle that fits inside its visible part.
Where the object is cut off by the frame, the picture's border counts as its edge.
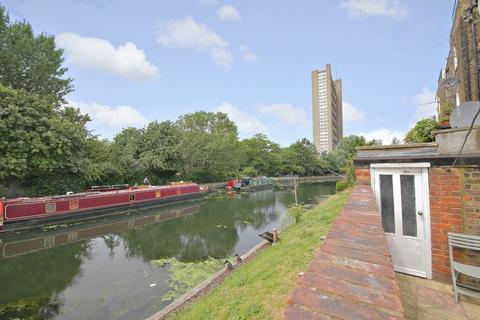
(31, 63)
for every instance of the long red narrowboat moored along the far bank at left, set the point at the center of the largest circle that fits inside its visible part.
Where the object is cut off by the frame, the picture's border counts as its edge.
(21, 213)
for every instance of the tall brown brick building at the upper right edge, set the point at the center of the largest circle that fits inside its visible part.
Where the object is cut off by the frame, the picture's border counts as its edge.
(458, 81)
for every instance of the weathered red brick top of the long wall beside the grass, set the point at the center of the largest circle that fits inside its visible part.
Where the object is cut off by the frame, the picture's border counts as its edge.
(352, 274)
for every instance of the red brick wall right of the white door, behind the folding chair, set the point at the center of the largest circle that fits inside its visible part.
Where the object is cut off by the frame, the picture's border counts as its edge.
(454, 207)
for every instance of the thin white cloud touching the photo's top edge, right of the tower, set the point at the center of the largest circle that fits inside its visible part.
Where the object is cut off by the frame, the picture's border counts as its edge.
(367, 8)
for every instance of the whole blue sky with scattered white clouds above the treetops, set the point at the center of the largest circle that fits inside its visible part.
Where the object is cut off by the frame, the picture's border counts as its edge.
(137, 61)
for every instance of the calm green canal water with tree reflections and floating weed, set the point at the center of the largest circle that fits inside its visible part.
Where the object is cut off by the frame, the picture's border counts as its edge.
(131, 266)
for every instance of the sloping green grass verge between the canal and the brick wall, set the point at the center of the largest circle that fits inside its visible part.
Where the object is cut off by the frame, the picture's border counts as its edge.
(259, 289)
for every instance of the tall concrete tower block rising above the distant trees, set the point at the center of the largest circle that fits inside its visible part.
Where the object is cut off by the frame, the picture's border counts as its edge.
(326, 110)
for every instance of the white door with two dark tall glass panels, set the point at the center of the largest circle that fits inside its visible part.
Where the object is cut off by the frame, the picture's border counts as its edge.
(402, 199)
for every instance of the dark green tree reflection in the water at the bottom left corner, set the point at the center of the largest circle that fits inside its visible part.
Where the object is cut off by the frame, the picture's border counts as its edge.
(30, 283)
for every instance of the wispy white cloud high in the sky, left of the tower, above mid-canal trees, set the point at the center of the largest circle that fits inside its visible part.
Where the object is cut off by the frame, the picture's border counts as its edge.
(188, 34)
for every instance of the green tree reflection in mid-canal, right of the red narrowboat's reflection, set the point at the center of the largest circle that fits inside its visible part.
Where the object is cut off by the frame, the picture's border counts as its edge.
(212, 232)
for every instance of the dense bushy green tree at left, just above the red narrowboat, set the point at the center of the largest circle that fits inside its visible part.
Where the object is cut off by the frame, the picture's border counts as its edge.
(38, 139)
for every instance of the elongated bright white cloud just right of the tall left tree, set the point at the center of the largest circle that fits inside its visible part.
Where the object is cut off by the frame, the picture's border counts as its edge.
(126, 60)
